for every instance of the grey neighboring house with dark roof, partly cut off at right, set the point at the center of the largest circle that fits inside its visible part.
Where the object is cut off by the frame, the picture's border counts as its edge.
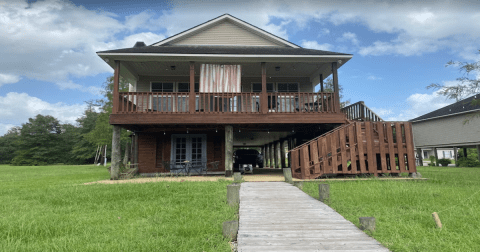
(444, 130)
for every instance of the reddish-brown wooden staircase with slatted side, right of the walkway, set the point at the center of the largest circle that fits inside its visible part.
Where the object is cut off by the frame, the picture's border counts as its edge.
(368, 147)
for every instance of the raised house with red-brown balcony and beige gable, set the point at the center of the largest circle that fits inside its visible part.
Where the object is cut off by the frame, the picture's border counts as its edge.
(222, 84)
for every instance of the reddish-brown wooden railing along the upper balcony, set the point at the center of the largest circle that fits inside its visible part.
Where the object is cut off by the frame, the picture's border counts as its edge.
(156, 102)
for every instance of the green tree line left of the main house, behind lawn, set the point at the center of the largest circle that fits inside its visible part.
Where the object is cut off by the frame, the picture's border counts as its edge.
(43, 140)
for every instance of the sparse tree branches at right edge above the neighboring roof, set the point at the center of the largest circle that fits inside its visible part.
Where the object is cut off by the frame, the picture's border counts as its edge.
(467, 85)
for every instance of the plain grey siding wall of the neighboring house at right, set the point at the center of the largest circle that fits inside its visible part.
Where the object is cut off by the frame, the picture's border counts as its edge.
(446, 131)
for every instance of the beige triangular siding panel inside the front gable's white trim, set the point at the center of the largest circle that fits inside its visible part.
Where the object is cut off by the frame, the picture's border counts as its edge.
(226, 33)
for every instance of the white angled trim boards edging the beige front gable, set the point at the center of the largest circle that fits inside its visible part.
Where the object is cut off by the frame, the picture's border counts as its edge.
(220, 19)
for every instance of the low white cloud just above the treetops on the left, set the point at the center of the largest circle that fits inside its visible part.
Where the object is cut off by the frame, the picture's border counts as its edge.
(18, 107)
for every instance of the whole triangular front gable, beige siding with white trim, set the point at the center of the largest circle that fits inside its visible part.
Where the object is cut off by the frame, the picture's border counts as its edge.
(227, 31)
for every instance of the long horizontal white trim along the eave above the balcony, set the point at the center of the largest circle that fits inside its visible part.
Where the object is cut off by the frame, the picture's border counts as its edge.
(226, 55)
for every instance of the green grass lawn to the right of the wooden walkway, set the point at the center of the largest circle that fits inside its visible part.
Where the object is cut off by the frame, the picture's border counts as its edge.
(403, 209)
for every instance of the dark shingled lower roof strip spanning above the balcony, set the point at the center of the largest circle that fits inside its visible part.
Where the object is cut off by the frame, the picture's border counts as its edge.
(221, 50)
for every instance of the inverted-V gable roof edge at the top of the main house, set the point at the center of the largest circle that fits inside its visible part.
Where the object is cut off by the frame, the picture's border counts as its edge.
(226, 17)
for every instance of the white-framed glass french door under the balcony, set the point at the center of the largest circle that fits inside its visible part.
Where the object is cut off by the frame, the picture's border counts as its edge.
(189, 147)
